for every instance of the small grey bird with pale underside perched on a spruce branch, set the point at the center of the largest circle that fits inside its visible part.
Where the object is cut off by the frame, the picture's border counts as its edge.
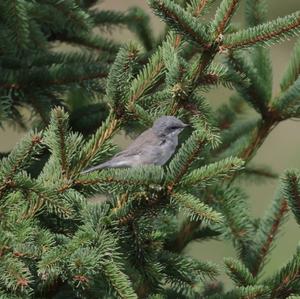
(154, 146)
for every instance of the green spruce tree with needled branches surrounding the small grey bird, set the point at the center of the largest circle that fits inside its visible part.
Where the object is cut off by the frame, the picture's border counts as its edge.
(55, 241)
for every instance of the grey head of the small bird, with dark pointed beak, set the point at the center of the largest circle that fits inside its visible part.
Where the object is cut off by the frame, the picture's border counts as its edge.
(168, 126)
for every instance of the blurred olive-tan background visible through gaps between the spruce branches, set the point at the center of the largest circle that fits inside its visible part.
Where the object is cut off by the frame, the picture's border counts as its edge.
(280, 151)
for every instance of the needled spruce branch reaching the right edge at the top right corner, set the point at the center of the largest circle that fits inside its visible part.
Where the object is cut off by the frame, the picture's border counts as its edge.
(264, 34)
